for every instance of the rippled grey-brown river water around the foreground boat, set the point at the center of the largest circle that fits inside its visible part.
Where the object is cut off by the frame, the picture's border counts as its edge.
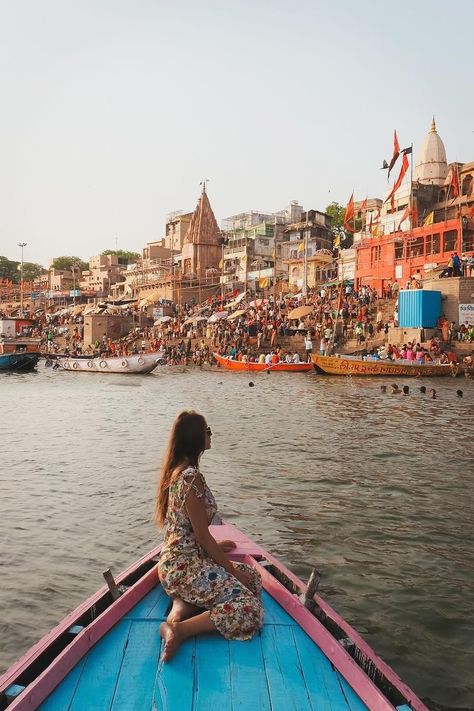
(374, 490)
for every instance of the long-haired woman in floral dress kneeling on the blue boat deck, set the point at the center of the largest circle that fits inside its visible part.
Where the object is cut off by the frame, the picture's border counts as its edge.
(209, 592)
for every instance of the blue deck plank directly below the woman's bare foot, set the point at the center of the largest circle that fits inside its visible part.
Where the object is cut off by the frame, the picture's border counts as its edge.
(174, 682)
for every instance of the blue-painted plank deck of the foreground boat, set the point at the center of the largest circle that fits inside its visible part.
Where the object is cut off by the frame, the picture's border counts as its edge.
(281, 669)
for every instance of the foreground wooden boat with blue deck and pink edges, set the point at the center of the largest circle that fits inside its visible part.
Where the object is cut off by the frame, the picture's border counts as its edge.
(105, 655)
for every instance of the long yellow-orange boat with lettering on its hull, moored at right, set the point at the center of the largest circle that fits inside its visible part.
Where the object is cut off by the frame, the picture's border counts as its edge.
(342, 365)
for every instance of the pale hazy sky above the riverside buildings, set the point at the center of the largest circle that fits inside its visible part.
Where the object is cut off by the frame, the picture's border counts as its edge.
(112, 111)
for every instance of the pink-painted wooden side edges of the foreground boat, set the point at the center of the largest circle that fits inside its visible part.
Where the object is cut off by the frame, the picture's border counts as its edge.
(246, 551)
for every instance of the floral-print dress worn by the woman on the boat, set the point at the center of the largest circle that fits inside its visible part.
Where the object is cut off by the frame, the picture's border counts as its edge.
(186, 571)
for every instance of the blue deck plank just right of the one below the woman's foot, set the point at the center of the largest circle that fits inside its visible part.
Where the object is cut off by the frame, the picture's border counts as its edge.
(212, 674)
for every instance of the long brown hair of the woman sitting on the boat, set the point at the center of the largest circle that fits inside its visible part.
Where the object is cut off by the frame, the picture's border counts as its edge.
(186, 444)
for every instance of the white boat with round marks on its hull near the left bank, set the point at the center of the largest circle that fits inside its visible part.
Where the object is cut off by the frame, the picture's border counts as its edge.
(139, 363)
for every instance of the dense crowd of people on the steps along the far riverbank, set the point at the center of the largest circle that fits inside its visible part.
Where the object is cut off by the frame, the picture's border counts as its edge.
(258, 330)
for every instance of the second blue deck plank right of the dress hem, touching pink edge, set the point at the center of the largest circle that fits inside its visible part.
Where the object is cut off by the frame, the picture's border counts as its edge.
(320, 676)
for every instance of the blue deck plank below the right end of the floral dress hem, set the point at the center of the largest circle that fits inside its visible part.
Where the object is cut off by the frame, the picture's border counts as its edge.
(249, 687)
